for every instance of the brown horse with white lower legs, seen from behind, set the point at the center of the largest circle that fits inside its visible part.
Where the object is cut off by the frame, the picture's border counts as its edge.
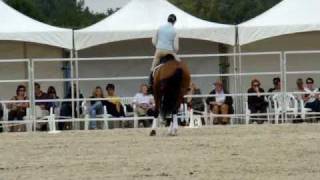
(171, 82)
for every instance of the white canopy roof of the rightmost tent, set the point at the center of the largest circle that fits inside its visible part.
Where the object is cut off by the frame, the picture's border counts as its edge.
(288, 17)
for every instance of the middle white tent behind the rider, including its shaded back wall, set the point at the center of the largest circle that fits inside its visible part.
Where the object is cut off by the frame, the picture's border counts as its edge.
(128, 32)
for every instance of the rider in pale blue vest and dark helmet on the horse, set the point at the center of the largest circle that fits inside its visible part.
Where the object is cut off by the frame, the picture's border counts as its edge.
(166, 42)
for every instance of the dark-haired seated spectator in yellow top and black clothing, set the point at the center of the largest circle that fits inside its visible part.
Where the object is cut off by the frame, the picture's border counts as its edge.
(113, 104)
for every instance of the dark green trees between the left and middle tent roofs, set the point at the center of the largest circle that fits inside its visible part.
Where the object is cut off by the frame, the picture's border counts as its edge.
(63, 13)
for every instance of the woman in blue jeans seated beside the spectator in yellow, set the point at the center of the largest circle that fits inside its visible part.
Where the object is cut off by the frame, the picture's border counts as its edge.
(96, 107)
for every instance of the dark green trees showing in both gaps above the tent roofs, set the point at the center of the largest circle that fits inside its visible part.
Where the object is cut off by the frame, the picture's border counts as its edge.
(73, 13)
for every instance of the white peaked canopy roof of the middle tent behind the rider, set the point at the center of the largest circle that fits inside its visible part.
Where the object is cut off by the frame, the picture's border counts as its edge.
(141, 18)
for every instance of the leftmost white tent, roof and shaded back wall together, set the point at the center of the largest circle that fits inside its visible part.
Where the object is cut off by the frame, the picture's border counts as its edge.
(24, 37)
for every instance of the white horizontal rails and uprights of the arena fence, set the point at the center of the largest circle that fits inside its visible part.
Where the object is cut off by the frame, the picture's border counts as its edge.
(74, 78)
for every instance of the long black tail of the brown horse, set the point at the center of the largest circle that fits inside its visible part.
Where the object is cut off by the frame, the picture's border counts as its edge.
(170, 101)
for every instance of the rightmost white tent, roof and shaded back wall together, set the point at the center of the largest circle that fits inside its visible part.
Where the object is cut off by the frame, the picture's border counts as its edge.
(292, 25)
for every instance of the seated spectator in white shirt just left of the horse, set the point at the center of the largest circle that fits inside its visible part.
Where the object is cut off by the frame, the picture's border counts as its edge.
(144, 103)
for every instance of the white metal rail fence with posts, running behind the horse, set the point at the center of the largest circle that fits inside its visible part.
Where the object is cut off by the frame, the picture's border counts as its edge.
(238, 79)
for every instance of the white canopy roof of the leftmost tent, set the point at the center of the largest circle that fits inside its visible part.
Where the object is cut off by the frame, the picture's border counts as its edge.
(18, 27)
